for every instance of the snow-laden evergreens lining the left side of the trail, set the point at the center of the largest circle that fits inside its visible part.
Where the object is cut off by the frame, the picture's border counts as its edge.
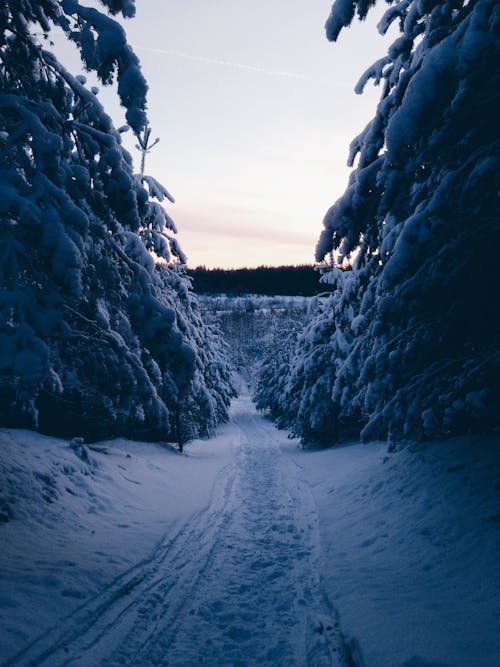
(96, 336)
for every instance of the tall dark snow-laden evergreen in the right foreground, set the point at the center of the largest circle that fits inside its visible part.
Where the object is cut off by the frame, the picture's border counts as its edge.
(419, 225)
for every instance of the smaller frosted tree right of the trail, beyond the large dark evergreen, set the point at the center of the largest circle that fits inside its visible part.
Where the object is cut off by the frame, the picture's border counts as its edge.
(300, 369)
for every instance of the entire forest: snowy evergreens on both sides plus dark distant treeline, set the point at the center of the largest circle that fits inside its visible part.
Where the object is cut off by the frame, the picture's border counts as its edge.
(100, 323)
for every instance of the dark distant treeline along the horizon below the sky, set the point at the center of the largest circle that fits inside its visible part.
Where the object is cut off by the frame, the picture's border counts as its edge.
(300, 280)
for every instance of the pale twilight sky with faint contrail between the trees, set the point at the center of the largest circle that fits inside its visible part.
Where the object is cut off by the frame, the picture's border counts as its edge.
(255, 111)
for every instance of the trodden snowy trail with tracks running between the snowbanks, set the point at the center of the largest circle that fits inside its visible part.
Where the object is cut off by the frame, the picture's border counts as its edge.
(237, 584)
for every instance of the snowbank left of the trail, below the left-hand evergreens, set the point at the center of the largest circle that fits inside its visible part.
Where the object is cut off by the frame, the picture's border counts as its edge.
(73, 519)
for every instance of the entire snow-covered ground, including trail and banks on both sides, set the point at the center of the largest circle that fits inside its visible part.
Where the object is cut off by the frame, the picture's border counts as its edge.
(241, 551)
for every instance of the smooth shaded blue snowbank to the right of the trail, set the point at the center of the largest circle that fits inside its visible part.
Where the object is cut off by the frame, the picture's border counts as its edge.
(411, 546)
